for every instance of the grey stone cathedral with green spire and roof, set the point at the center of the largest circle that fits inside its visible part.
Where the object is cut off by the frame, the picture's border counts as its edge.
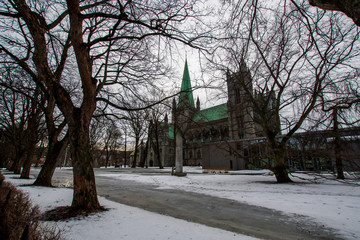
(208, 134)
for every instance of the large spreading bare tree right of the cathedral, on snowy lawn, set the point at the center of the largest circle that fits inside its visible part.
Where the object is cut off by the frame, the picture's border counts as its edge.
(288, 54)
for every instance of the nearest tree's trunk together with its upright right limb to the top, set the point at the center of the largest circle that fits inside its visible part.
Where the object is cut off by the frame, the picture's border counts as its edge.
(78, 119)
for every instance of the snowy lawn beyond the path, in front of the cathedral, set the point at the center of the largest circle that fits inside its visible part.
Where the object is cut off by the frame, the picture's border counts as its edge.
(331, 203)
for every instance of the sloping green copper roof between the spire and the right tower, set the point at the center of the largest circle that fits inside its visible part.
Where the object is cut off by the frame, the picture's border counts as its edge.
(211, 114)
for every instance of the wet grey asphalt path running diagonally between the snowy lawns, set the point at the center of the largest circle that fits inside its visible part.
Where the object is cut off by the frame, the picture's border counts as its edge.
(208, 210)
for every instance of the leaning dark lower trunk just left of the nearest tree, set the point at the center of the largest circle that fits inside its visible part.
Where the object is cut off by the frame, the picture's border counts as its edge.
(48, 169)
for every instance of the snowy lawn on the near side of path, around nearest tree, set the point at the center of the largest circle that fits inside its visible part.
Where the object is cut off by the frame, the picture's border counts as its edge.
(121, 221)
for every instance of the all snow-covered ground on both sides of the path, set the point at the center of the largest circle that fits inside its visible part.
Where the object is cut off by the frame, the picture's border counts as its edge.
(333, 204)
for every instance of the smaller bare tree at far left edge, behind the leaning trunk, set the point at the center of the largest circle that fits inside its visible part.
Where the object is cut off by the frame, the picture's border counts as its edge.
(21, 116)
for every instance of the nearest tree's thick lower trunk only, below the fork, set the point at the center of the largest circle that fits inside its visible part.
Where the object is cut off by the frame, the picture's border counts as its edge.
(85, 195)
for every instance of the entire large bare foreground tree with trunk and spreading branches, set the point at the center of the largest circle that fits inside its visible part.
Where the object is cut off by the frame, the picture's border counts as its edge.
(111, 40)
